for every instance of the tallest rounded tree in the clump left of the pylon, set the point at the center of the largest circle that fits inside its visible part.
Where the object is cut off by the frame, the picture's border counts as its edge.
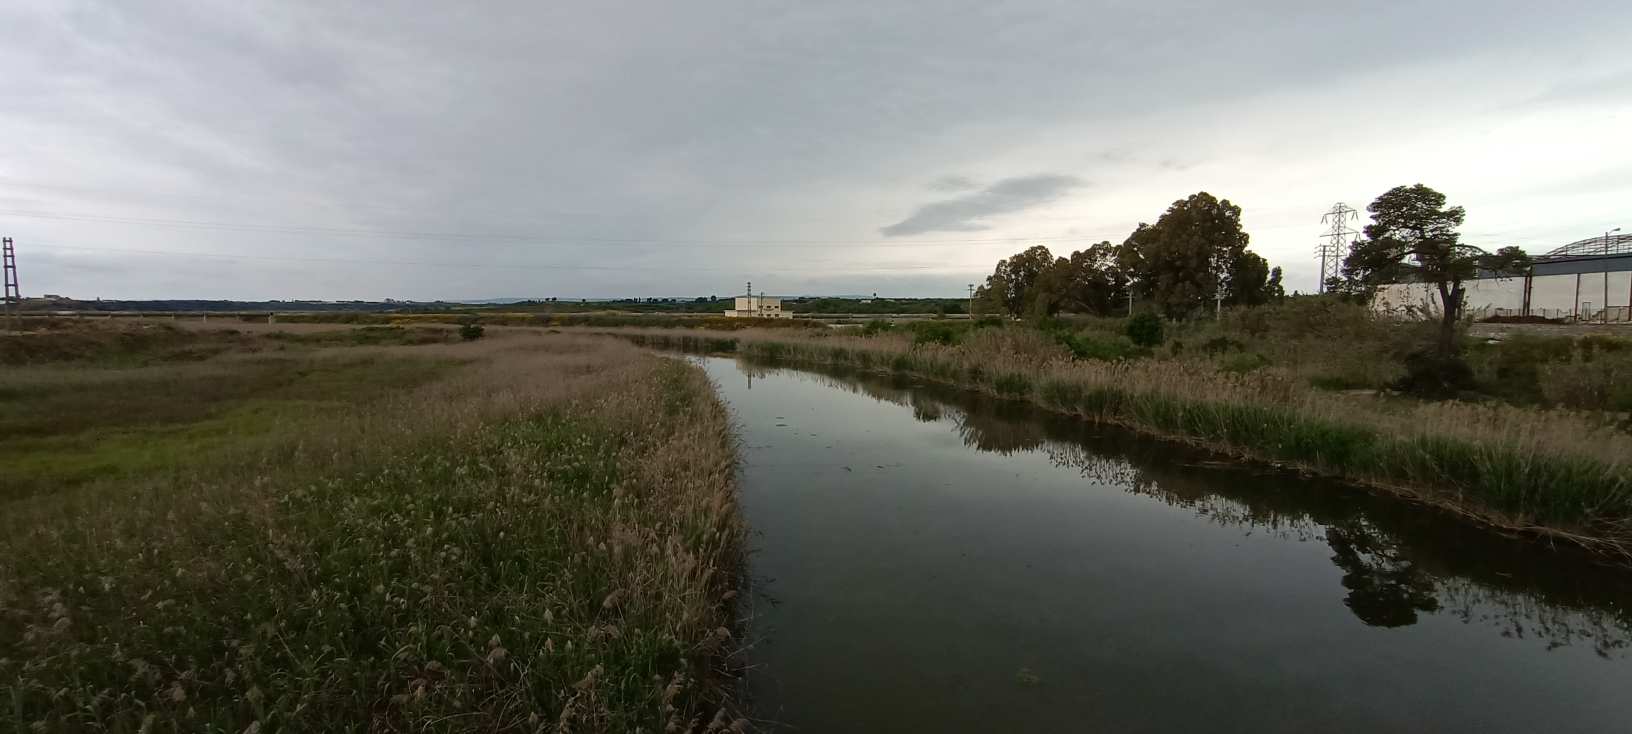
(1191, 254)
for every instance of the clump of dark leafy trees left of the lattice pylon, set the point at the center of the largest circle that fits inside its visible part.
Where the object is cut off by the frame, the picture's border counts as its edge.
(1192, 260)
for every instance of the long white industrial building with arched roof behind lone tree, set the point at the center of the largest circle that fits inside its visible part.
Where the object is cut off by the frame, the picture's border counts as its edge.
(1584, 281)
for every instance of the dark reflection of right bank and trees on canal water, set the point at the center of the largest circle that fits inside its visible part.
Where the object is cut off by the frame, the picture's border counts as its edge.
(1399, 564)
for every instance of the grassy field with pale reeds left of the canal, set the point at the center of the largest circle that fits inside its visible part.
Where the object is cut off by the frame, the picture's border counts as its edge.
(314, 533)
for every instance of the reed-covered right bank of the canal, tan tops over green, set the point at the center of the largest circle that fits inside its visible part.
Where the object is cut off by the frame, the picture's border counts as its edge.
(1551, 474)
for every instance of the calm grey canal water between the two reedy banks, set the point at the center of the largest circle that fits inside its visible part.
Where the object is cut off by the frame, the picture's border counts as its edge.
(934, 560)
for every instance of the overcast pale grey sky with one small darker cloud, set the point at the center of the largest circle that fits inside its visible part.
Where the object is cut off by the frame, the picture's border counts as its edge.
(613, 149)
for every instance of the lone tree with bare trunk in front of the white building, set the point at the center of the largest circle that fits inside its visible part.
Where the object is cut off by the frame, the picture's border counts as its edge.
(1412, 239)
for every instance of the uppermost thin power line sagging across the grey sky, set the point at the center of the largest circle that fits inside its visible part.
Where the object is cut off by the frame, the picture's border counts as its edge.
(192, 224)
